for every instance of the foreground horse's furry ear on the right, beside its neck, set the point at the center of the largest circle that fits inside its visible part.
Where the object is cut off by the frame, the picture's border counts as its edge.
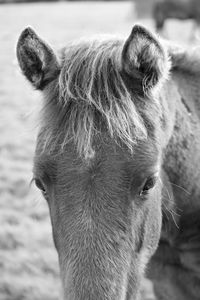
(144, 59)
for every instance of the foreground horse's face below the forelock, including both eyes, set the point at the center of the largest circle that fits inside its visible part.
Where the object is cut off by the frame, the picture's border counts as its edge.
(106, 217)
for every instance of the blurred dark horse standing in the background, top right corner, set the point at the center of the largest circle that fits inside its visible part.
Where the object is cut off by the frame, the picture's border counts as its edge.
(181, 9)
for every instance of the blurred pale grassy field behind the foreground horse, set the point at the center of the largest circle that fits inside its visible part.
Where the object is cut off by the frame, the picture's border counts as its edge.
(28, 260)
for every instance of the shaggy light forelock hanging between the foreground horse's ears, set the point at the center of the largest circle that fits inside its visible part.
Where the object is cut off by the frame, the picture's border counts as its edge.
(93, 98)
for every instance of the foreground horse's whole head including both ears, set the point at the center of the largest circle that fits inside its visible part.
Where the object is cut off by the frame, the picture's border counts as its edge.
(105, 204)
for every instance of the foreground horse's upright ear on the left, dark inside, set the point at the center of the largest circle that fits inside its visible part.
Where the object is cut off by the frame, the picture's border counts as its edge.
(36, 59)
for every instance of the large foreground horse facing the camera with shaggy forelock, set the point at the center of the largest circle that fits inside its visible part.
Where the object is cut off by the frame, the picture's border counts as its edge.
(117, 160)
